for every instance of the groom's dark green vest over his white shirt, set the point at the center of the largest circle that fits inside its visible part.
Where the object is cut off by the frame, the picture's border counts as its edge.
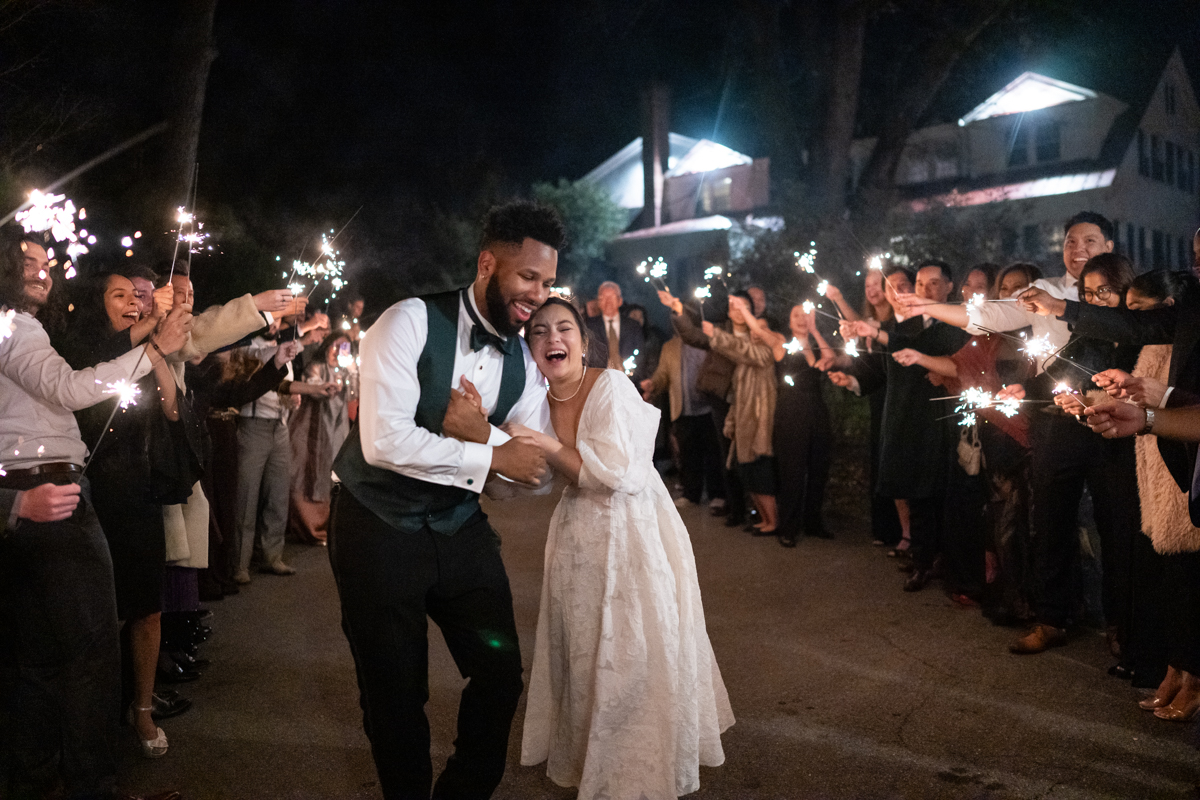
(407, 503)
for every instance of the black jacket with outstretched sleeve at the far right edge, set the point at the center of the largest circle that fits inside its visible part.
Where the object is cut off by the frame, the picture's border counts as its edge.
(1178, 326)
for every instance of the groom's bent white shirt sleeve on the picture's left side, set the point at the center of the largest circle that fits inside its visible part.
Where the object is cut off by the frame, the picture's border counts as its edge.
(389, 393)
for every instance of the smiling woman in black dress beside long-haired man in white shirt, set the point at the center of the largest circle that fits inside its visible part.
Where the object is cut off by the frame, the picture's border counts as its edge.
(105, 326)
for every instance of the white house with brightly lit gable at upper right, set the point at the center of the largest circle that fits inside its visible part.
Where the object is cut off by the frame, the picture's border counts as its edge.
(1052, 149)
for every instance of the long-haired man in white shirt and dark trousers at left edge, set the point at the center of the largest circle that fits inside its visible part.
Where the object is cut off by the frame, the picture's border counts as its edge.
(56, 569)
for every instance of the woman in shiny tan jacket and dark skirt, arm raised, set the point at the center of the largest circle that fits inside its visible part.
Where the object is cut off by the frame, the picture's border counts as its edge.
(753, 407)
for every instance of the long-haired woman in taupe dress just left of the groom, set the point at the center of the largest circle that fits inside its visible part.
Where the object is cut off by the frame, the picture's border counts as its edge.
(317, 430)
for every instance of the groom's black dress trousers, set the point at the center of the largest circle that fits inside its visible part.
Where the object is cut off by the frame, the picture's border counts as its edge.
(389, 582)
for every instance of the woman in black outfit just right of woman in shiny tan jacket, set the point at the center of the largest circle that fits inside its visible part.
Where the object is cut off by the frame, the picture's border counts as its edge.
(803, 436)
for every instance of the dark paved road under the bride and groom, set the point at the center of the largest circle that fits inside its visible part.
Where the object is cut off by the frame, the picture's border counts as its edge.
(843, 687)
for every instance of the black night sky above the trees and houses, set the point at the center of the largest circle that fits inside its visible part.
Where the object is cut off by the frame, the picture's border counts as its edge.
(413, 110)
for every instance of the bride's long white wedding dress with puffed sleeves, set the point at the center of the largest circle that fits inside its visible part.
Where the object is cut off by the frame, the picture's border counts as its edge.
(626, 699)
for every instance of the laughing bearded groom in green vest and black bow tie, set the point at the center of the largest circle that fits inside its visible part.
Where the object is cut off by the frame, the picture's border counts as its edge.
(407, 538)
